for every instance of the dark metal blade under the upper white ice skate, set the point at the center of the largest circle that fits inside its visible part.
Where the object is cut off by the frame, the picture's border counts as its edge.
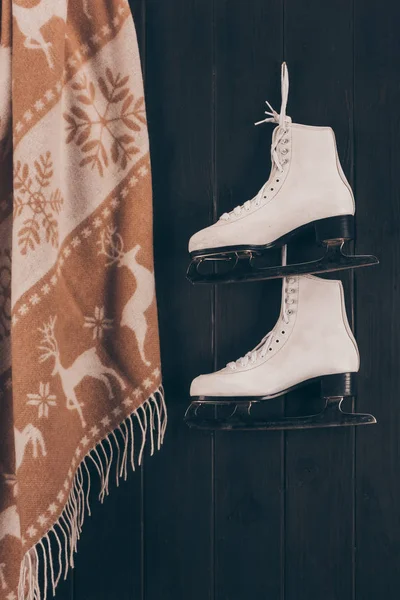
(243, 266)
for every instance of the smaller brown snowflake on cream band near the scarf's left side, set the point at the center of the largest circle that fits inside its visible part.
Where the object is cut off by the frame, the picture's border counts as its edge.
(39, 206)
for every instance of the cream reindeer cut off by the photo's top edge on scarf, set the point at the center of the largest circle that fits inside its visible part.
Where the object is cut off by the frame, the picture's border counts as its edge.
(31, 20)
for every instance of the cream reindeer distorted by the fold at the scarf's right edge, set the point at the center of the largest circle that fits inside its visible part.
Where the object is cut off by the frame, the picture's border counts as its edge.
(133, 314)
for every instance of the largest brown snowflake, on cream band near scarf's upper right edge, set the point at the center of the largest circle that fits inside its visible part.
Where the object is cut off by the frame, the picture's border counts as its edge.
(104, 127)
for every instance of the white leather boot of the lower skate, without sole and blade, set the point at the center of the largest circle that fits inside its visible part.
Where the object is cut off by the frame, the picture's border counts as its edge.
(311, 339)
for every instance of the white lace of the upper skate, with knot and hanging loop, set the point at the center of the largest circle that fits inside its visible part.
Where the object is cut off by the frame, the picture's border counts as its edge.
(283, 122)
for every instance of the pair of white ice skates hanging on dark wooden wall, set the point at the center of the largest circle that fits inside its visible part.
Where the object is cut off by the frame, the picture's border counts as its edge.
(312, 340)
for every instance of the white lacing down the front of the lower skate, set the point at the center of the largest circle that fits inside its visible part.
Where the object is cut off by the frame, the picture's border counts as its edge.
(261, 349)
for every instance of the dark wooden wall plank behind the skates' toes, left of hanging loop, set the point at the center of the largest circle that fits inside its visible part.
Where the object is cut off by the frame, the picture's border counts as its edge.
(248, 467)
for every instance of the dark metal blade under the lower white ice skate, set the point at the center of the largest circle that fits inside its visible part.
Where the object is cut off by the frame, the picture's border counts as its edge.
(241, 419)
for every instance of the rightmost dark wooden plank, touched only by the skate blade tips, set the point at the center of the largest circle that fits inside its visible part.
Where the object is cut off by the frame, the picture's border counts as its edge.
(377, 97)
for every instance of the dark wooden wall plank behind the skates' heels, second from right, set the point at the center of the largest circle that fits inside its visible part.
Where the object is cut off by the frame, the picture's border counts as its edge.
(319, 464)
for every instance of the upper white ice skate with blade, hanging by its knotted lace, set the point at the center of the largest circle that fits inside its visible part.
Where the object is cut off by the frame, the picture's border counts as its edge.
(306, 189)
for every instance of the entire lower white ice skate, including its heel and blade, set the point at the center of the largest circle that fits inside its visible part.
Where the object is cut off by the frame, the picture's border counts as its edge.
(311, 342)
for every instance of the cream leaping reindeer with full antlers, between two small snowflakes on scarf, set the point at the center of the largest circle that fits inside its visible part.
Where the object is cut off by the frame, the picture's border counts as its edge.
(88, 364)
